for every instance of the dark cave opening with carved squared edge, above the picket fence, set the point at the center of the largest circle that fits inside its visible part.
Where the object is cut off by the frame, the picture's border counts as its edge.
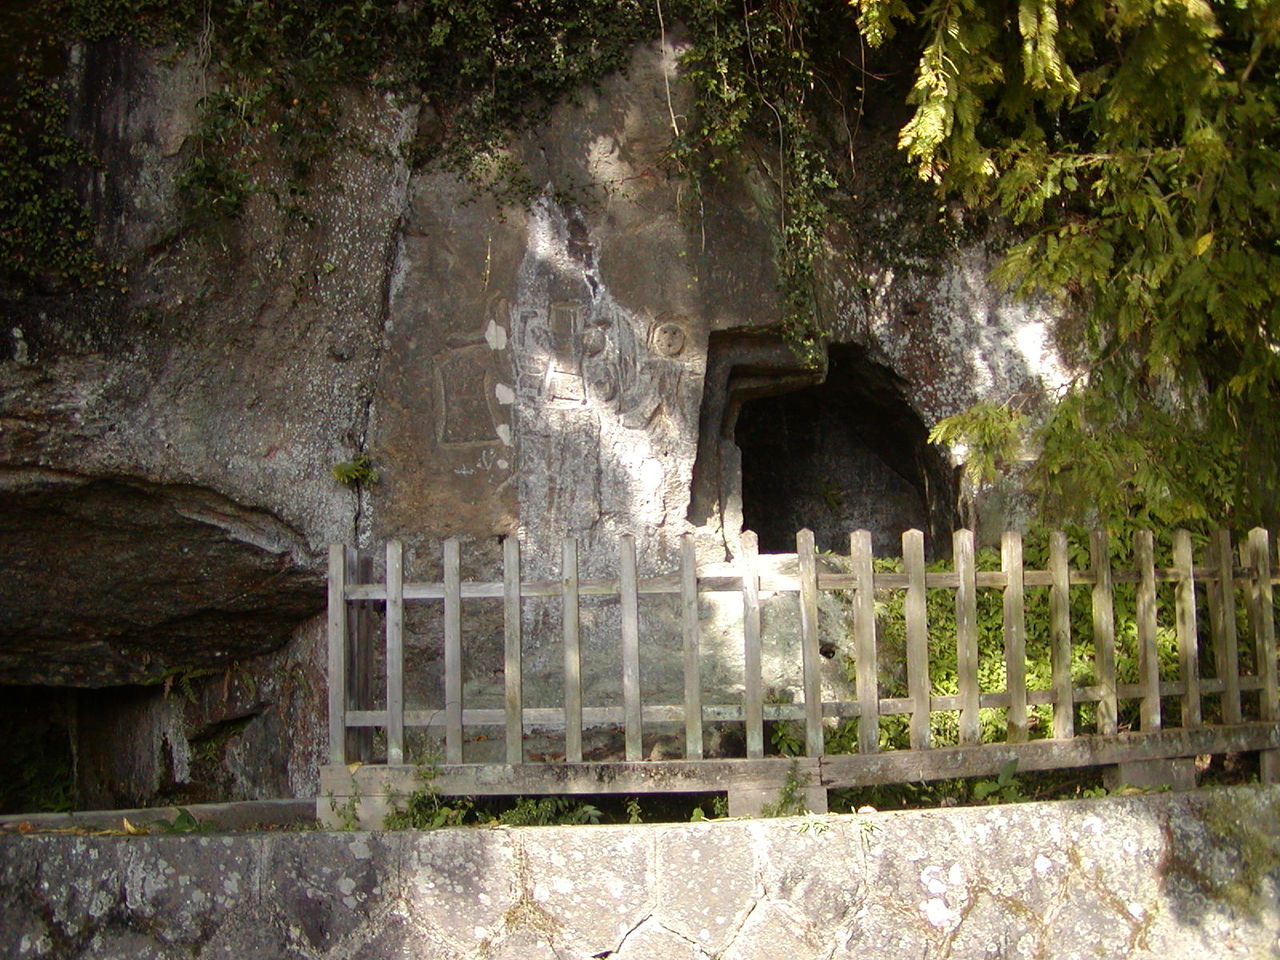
(842, 450)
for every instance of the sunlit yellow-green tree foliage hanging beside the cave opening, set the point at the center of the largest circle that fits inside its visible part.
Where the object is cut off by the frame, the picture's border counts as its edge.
(1136, 148)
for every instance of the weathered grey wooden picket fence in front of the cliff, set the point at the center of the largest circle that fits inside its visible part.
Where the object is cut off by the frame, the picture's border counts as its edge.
(1227, 577)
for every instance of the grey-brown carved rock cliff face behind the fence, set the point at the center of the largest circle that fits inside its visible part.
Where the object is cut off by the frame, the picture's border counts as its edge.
(572, 368)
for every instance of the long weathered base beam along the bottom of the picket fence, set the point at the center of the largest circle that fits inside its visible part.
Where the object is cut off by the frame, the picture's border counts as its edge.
(833, 771)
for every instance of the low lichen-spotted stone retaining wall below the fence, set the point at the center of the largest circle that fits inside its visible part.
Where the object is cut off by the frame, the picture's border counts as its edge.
(1171, 876)
